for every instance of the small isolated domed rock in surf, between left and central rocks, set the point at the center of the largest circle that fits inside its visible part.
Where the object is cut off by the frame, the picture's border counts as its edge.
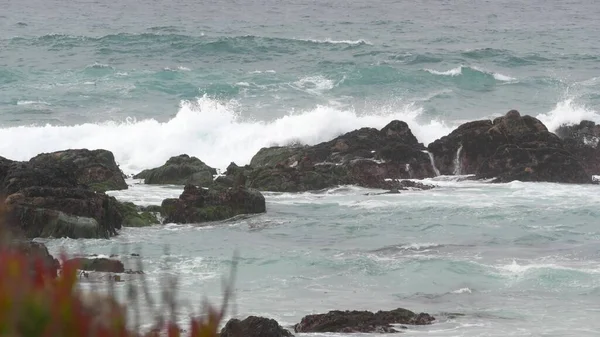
(180, 170)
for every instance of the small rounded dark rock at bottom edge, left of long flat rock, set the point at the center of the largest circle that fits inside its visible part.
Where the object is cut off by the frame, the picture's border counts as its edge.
(254, 327)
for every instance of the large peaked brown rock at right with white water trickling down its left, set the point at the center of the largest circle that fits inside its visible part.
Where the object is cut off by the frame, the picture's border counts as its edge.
(512, 147)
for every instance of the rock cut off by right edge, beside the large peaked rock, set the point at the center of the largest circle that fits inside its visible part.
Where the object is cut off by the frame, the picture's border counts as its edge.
(581, 140)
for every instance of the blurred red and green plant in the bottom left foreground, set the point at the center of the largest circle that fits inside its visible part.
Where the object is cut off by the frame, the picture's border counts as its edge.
(35, 302)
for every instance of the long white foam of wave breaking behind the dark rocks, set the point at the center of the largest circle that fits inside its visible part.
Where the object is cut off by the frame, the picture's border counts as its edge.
(208, 129)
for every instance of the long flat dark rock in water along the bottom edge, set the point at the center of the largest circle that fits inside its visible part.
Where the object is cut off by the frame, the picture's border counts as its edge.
(361, 321)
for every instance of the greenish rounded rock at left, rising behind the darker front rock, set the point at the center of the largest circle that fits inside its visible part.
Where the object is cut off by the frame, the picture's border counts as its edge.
(96, 169)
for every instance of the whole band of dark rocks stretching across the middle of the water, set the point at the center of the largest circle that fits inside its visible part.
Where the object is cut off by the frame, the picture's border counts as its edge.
(61, 194)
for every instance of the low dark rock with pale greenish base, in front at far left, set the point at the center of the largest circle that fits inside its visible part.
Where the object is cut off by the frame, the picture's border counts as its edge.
(63, 212)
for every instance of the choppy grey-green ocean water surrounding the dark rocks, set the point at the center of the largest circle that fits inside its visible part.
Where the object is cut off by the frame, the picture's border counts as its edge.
(149, 79)
